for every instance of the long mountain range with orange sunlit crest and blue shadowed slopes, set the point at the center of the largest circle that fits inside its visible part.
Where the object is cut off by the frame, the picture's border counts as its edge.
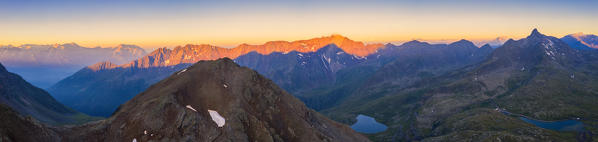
(98, 89)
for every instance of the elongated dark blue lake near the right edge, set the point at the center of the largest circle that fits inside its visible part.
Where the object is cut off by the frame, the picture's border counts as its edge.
(563, 125)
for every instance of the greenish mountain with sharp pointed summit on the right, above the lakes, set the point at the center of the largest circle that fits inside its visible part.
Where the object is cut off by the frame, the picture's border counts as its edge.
(539, 77)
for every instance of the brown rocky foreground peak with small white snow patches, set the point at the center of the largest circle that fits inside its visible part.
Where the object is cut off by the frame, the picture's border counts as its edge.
(189, 106)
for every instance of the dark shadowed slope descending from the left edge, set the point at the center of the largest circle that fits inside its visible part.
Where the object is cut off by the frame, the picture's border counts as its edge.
(29, 100)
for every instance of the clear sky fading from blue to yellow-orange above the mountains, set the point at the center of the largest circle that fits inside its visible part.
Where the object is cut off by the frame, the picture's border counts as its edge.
(152, 24)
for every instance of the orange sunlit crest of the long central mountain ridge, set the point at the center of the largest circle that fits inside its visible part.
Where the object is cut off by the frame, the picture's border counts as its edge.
(189, 54)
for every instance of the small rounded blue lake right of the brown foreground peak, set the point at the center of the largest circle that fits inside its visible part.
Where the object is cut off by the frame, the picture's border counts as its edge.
(368, 125)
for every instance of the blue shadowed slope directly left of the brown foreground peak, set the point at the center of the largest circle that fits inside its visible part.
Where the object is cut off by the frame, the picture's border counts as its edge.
(98, 91)
